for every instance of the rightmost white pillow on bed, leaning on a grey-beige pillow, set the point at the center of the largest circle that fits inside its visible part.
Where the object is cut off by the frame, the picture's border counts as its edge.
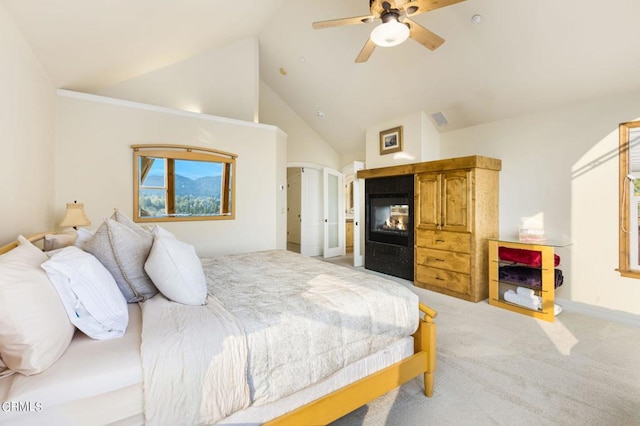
(174, 267)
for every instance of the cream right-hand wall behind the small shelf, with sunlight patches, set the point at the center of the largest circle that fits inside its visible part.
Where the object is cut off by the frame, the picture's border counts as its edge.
(564, 164)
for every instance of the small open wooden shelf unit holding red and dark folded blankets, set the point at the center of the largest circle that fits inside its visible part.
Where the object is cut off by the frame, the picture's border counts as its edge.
(545, 293)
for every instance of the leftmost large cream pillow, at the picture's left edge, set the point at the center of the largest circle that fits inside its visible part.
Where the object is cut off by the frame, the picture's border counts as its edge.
(34, 327)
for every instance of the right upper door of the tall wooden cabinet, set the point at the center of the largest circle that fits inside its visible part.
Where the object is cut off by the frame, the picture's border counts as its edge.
(456, 200)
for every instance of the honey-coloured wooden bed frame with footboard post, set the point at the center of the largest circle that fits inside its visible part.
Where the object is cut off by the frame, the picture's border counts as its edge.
(351, 397)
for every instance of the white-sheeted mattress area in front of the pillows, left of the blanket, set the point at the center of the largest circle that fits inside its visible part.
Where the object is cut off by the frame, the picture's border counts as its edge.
(94, 382)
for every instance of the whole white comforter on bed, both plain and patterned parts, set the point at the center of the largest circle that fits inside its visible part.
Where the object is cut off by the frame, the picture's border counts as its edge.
(286, 321)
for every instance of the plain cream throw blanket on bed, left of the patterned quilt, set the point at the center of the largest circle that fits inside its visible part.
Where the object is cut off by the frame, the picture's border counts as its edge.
(194, 360)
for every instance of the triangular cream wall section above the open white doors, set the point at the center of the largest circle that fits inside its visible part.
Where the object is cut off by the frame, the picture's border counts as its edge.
(304, 145)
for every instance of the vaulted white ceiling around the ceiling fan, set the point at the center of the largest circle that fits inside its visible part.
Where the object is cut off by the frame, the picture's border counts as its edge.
(525, 55)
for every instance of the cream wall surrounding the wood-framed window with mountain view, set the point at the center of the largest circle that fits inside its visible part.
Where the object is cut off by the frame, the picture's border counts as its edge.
(94, 165)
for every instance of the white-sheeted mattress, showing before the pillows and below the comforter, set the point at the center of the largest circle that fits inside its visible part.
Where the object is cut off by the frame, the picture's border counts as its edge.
(99, 382)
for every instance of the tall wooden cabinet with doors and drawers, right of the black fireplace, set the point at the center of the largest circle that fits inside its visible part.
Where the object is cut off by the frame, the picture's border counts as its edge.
(456, 211)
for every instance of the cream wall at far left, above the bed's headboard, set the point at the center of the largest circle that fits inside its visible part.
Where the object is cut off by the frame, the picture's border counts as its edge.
(26, 137)
